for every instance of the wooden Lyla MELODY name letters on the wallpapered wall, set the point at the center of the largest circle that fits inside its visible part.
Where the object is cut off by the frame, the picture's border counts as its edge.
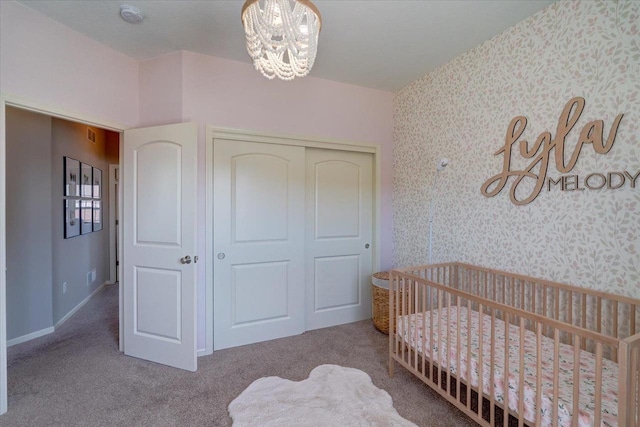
(540, 153)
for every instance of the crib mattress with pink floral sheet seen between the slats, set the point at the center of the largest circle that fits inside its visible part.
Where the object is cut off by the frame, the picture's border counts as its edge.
(437, 351)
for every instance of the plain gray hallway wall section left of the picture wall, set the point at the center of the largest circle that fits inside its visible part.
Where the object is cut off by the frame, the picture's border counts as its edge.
(29, 271)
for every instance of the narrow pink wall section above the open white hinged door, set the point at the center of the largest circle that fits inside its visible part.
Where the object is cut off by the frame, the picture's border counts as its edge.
(160, 89)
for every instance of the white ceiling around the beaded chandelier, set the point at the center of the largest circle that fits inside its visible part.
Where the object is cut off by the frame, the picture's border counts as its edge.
(379, 44)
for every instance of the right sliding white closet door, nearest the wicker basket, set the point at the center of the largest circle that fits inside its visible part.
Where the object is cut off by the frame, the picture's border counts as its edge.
(338, 237)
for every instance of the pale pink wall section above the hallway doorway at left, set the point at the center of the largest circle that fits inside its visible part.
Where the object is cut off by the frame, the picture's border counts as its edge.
(44, 62)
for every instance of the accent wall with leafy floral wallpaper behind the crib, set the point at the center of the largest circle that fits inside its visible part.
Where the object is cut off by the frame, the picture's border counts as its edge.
(461, 111)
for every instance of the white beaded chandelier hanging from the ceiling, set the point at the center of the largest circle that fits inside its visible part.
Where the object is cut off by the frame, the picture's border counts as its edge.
(282, 36)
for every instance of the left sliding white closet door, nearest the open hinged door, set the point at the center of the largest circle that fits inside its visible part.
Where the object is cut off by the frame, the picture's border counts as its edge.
(258, 242)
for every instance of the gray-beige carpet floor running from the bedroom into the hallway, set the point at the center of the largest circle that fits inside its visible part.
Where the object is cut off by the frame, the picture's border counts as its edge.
(77, 377)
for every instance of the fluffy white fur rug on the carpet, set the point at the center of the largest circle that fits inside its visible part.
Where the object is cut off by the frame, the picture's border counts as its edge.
(331, 396)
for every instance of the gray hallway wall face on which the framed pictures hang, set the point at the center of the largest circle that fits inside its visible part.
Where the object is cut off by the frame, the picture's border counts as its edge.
(74, 258)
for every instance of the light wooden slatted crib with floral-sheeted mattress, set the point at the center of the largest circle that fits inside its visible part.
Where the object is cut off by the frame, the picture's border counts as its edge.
(474, 335)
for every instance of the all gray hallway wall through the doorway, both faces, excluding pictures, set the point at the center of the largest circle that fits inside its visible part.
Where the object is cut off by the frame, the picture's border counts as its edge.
(39, 259)
